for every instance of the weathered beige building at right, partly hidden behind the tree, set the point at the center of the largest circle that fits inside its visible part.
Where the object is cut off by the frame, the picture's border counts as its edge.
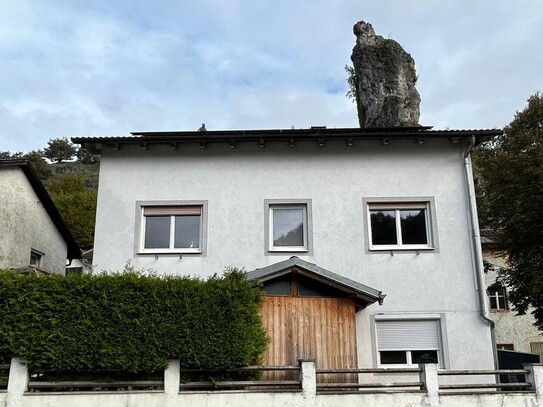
(512, 331)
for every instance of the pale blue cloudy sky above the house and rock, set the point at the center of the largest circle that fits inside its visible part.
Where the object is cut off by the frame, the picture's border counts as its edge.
(108, 67)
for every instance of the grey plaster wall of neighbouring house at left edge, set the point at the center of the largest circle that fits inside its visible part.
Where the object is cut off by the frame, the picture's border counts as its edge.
(26, 225)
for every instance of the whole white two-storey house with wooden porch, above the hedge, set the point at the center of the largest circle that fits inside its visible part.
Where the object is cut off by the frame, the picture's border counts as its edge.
(330, 220)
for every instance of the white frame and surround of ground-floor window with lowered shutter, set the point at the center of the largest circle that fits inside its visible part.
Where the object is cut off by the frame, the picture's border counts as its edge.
(441, 352)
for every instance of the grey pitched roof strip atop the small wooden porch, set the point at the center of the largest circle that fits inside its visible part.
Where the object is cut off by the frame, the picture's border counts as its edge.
(362, 293)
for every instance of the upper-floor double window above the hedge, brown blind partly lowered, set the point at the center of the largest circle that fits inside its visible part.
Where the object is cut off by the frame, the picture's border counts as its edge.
(171, 228)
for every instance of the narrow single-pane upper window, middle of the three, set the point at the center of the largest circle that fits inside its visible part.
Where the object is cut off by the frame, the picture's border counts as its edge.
(288, 226)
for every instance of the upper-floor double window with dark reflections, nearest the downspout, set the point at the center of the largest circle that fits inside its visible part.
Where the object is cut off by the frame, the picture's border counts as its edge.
(400, 225)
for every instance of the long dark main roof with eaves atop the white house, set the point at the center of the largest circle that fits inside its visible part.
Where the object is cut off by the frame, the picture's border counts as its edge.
(291, 136)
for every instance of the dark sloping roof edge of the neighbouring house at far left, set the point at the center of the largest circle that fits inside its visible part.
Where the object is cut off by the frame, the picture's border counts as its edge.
(73, 249)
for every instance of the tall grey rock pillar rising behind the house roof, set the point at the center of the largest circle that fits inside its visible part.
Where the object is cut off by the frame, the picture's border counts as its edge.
(385, 77)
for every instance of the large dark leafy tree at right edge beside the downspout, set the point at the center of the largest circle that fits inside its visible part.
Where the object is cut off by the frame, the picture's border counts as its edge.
(510, 185)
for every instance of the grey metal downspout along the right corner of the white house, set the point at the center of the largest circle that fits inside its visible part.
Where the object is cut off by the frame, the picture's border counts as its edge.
(477, 252)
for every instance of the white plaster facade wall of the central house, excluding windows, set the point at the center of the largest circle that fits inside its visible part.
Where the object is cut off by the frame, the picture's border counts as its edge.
(236, 182)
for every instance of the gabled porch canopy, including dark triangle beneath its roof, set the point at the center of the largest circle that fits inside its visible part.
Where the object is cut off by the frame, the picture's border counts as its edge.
(300, 278)
